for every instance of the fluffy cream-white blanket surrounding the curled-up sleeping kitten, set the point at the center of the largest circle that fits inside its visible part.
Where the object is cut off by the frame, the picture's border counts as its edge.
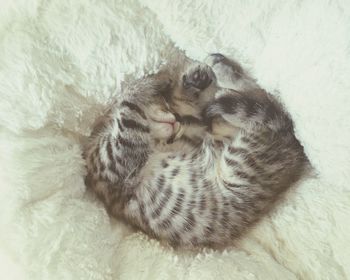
(61, 61)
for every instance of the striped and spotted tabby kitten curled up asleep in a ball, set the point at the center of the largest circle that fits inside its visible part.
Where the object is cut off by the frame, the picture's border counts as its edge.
(193, 157)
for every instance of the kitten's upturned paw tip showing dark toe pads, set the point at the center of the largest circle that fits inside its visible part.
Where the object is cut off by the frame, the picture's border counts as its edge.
(199, 77)
